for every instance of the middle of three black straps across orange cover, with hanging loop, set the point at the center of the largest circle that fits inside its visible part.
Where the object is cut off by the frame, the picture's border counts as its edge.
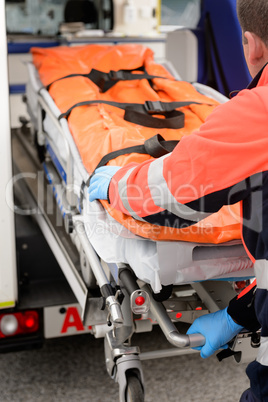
(142, 114)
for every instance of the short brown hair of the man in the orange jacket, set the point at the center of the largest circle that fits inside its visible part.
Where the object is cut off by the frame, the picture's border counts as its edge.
(253, 17)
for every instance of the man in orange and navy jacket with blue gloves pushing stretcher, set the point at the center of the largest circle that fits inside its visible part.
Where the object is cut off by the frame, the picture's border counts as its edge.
(226, 161)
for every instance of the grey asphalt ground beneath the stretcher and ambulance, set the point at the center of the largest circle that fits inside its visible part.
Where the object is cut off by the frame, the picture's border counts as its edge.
(73, 370)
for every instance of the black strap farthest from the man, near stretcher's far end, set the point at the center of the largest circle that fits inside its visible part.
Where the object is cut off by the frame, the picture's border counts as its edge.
(106, 81)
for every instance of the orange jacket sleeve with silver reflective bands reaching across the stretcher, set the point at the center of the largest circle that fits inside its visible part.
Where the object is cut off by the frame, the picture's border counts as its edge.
(206, 170)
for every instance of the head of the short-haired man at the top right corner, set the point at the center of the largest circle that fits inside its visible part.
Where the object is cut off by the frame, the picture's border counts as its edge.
(253, 18)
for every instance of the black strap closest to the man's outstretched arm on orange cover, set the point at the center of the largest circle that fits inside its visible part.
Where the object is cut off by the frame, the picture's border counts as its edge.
(155, 146)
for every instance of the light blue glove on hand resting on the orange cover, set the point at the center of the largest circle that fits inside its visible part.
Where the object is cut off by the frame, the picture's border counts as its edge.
(99, 183)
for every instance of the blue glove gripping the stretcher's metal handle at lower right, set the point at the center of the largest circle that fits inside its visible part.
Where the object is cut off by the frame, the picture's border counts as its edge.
(218, 328)
